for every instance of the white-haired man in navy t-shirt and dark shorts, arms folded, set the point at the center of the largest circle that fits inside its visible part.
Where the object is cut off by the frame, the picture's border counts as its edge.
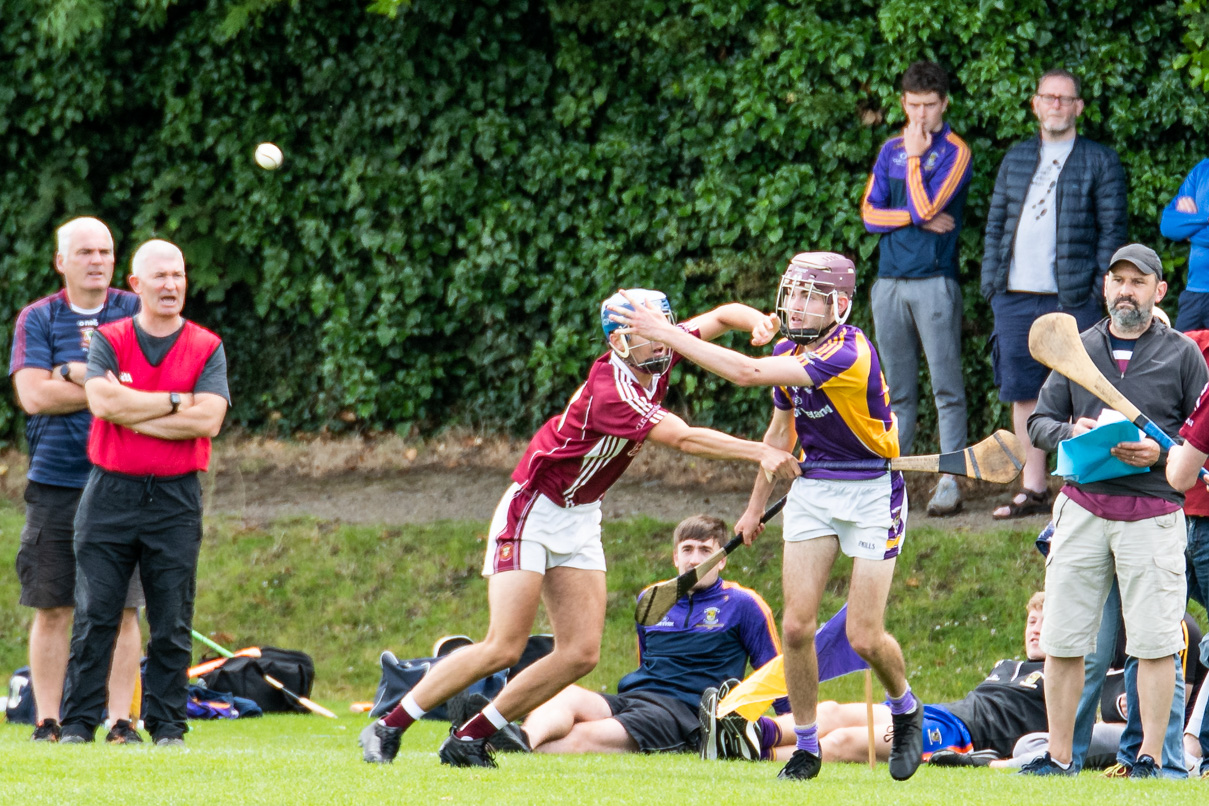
(48, 366)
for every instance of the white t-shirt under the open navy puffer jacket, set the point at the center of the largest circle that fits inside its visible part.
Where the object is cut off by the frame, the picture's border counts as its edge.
(1037, 236)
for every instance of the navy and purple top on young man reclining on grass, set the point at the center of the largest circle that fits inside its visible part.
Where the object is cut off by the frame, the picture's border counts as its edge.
(707, 639)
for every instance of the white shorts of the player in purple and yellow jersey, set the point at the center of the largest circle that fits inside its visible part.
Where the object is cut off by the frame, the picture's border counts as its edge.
(867, 515)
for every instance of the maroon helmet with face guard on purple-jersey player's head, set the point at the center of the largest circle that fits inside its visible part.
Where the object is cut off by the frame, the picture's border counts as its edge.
(825, 276)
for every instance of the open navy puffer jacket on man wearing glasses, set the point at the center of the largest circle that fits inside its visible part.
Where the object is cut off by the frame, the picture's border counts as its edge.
(1091, 208)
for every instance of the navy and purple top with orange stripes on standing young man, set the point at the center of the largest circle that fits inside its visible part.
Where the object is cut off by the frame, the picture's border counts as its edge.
(905, 194)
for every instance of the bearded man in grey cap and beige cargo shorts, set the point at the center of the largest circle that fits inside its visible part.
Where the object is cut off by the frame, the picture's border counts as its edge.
(1131, 526)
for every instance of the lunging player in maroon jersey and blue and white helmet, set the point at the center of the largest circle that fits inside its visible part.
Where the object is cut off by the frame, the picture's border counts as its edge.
(545, 540)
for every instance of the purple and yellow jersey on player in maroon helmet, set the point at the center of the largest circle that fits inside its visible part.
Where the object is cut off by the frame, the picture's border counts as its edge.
(846, 414)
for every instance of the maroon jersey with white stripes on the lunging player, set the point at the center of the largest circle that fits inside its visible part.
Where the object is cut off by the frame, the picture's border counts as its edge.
(577, 456)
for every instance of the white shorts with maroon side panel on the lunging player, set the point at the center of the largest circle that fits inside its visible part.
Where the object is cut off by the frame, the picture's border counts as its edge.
(530, 532)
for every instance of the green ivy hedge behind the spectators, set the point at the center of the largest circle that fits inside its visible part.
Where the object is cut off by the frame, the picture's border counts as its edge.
(465, 182)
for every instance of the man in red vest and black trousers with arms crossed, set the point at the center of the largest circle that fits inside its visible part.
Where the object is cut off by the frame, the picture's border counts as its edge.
(158, 387)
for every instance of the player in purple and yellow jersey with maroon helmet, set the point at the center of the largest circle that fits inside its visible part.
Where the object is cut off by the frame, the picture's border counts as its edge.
(831, 397)
